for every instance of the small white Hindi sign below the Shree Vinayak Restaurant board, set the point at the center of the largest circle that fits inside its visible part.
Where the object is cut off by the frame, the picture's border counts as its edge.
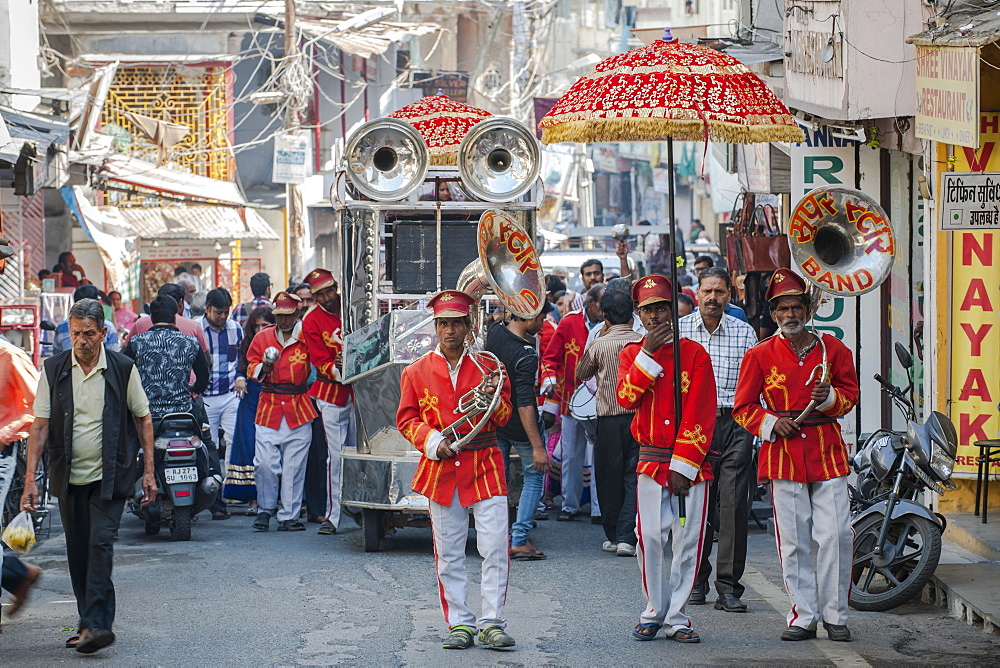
(970, 201)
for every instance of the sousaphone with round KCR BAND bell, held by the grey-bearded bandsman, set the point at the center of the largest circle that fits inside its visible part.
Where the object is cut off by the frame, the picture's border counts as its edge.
(842, 242)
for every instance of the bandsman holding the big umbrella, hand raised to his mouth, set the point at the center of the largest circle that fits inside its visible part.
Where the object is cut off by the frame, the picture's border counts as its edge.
(672, 459)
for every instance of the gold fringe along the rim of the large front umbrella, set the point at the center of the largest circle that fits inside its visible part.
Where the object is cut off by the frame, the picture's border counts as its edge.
(654, 129)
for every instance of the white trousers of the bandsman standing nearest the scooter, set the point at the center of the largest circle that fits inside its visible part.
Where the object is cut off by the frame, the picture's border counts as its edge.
(281, 455)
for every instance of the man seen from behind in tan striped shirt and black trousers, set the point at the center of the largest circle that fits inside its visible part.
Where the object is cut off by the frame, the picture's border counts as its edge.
(616, 452)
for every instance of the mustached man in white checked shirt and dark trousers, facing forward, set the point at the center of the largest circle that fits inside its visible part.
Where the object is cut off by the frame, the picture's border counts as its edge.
(727, 339)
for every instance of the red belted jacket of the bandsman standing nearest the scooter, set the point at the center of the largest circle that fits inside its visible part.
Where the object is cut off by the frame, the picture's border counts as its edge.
(283, 390)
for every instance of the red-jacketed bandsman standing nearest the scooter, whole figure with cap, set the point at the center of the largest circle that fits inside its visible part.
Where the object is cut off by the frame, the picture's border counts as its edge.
(284, 414)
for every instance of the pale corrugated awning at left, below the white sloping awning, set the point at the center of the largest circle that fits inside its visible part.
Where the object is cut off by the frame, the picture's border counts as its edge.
(207, 223)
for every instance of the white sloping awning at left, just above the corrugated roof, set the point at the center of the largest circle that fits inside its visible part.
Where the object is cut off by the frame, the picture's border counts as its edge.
(131, 171)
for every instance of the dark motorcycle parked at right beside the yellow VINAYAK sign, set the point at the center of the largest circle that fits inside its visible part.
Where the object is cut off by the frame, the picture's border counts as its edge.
(897, 539)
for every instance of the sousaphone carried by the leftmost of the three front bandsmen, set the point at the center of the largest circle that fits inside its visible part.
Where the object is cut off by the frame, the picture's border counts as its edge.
(508, 265)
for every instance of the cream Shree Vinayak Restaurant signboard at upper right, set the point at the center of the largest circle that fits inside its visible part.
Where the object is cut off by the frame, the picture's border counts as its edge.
(948, 95)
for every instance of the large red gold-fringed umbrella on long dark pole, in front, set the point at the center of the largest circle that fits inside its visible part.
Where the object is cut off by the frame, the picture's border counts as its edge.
(669, 90)
